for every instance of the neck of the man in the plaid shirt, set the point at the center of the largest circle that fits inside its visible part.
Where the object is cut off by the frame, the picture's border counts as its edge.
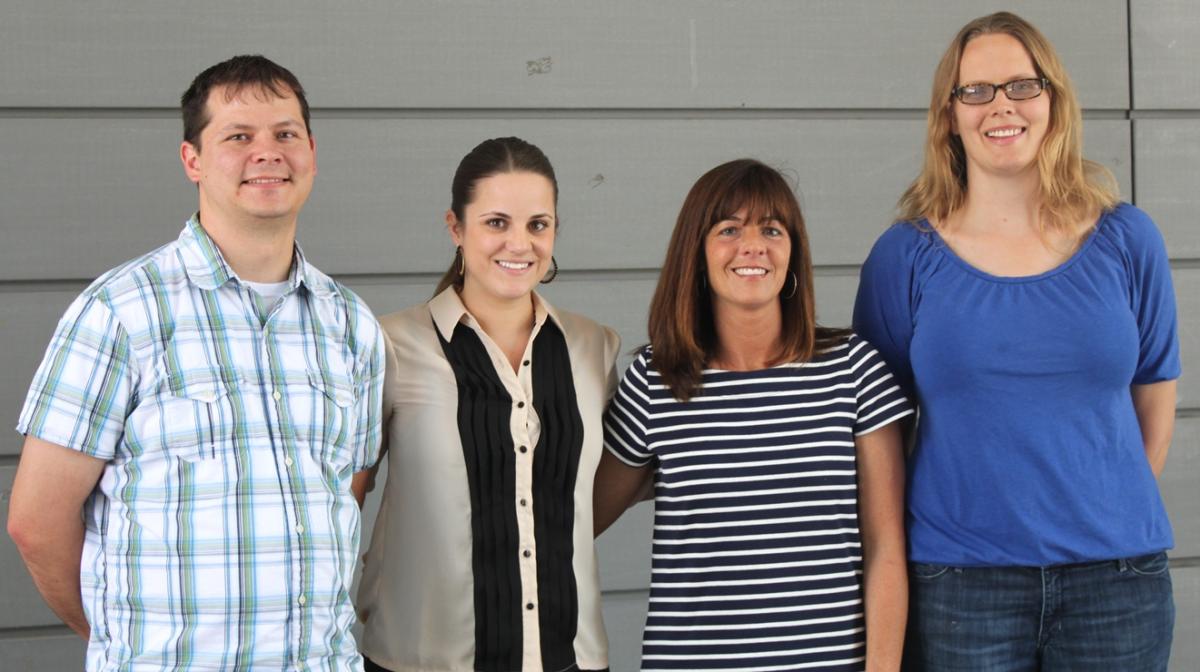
(259, 253)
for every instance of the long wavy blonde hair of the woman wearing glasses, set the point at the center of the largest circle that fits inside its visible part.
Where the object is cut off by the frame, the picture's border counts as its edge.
(1071, 187)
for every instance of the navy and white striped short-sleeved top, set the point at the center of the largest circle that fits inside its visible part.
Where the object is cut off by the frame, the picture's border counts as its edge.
(757, 560)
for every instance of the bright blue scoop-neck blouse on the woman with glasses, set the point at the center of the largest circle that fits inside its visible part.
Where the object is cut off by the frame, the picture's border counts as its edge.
(1029, 451)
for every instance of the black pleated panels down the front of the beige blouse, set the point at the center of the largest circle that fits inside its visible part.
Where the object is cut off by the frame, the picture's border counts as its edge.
(485, 410)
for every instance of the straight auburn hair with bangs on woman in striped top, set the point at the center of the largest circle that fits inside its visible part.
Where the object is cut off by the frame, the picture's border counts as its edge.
(682, 328)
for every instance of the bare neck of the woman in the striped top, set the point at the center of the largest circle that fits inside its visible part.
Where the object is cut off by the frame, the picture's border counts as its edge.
(748, 340)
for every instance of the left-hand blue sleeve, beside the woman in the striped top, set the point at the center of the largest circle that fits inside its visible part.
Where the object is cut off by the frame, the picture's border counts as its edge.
(884, 305)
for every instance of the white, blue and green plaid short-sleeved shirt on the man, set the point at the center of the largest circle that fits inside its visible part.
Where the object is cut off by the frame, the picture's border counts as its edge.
(223, 533)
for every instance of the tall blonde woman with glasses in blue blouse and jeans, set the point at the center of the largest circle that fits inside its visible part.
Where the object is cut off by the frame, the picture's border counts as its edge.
(1033, 317)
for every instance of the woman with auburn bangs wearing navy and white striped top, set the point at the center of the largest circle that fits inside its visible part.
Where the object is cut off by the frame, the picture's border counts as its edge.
(773, 447)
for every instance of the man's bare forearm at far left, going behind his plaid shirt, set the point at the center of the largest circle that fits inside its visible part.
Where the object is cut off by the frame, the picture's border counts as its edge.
(53, 562)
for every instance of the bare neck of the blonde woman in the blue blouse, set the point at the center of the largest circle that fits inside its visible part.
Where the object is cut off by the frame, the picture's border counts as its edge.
(1001, 205)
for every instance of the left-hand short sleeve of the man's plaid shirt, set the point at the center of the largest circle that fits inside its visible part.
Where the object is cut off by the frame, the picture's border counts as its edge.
(82, 392)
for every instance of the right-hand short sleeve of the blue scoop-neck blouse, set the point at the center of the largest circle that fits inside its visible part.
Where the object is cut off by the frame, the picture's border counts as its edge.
(1154, 304)
